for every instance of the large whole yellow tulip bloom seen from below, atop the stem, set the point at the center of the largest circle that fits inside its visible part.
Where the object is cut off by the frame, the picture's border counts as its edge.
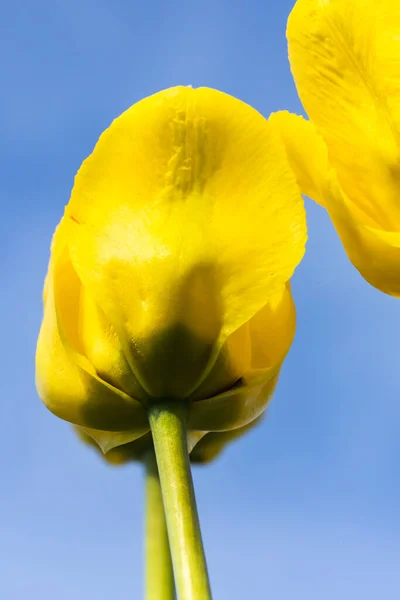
(169, 271)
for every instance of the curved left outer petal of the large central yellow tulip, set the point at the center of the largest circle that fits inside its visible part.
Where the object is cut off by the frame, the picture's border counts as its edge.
(66, 381)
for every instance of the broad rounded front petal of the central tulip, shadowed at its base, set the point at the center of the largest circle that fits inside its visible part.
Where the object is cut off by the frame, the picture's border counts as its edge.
(182, 224)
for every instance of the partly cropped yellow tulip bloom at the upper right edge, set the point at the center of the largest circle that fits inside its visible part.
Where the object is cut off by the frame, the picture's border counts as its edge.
(345, 60)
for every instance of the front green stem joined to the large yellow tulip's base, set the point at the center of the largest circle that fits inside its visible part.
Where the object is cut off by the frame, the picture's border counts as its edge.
(168, 427)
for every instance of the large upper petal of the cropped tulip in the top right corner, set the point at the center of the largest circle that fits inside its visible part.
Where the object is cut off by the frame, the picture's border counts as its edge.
(345, 59)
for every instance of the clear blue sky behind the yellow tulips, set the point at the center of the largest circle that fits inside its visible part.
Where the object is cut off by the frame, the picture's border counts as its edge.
(308, 504)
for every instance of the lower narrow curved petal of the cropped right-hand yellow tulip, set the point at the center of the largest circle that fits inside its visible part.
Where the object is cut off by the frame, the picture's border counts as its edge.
(375, 253)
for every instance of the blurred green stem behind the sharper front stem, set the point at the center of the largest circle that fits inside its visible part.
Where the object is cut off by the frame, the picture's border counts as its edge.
(159, 581)
